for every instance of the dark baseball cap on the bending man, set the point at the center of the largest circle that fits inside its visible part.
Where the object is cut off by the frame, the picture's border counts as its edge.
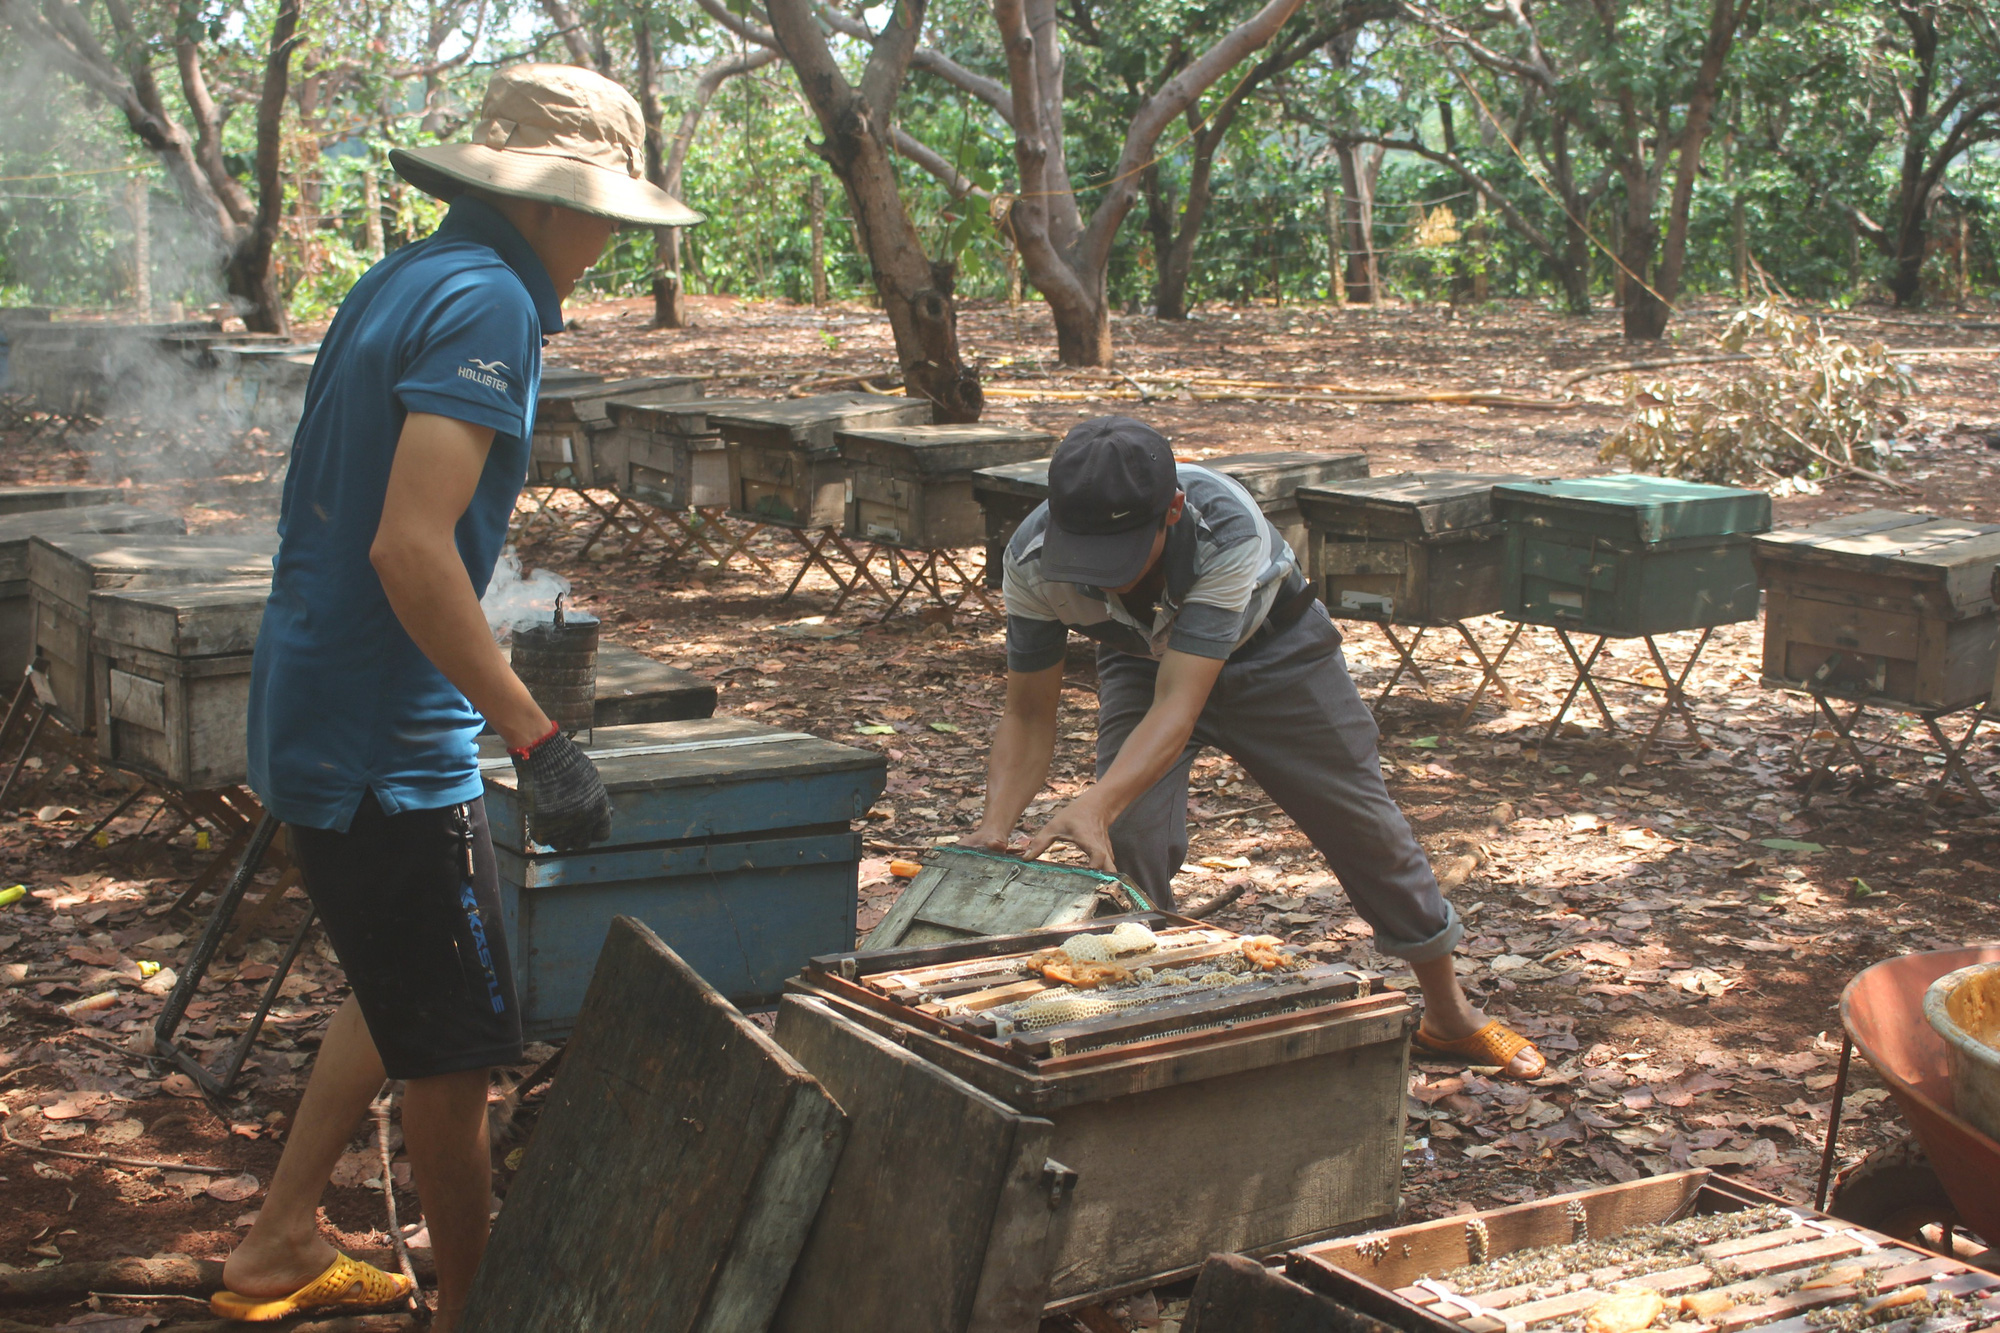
(1109, 485)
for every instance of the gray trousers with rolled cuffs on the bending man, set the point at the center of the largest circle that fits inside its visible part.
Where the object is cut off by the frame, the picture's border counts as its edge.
(1287, 712)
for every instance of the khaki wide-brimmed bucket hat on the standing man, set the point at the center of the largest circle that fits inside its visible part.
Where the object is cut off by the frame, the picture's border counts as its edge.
(559, 135)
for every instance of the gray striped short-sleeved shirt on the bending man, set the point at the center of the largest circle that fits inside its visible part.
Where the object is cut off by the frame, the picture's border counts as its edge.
(1225, 567)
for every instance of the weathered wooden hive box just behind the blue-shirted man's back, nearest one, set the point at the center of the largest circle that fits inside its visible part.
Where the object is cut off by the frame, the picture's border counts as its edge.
(173, 680)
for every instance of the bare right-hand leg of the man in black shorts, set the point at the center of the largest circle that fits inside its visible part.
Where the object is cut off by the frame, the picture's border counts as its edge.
(445, 1130)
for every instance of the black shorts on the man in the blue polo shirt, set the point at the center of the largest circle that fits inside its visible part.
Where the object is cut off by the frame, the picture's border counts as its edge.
(419, 938)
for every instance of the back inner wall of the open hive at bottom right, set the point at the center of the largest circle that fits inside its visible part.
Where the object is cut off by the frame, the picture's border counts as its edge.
(1441, 1246)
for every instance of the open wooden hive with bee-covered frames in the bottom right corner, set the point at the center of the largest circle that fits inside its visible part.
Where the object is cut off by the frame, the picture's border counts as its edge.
(1691, 1250)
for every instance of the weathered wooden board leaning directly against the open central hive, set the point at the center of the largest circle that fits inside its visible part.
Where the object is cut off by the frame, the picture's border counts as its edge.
(901, 1244)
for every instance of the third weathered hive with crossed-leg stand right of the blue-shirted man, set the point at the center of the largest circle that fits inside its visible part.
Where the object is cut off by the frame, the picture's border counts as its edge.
(787, 475)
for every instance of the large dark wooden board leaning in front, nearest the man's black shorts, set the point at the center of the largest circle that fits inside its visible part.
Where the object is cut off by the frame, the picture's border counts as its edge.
(675, 1174)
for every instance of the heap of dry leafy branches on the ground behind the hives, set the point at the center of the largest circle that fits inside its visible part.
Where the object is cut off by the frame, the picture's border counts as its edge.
(1811, 407)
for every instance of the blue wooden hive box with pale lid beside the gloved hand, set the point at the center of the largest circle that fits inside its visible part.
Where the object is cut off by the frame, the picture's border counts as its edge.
(731, 840)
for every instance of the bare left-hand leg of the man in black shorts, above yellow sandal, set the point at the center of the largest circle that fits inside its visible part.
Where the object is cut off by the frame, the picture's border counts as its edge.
(285, 1248)
